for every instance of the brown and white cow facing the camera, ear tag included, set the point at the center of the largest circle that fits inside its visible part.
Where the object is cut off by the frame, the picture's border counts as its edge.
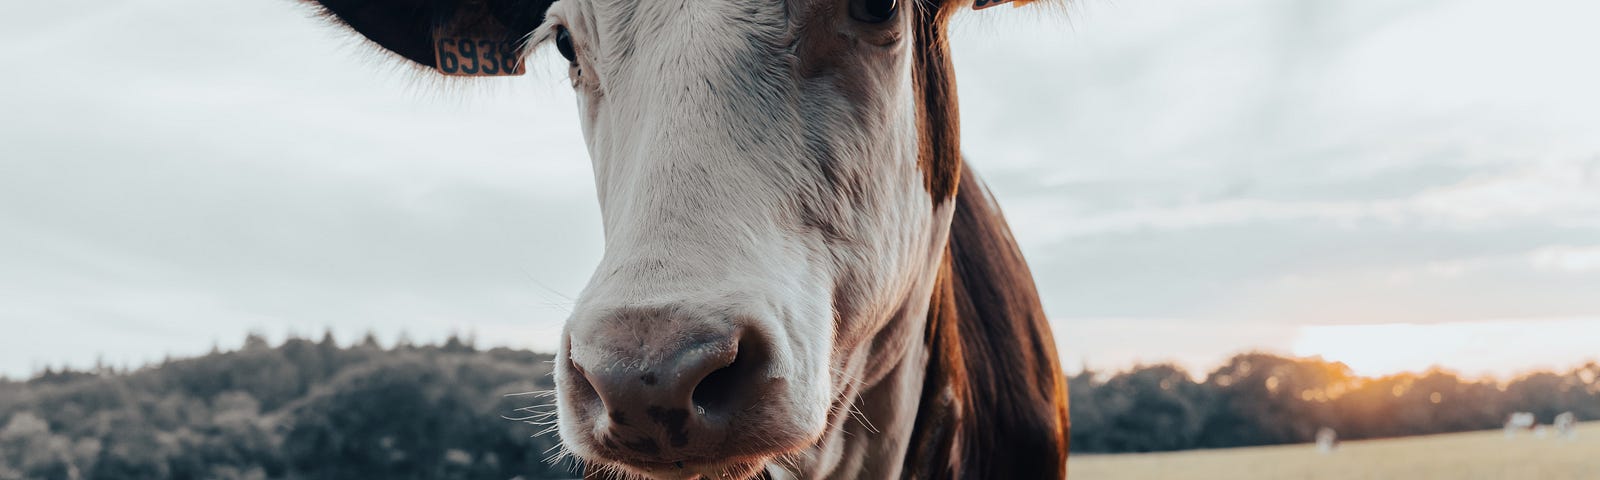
(801, 278)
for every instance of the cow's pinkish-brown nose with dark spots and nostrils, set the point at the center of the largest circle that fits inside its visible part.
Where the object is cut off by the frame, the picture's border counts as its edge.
(666, 399)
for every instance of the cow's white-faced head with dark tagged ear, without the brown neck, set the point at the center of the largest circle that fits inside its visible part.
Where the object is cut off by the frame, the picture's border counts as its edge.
(774, 178)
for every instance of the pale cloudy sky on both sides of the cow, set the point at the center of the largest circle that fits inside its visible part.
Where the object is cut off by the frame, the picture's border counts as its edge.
(1386, 183)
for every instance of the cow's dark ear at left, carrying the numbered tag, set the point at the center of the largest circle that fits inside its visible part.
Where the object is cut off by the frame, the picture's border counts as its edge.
(455, 38)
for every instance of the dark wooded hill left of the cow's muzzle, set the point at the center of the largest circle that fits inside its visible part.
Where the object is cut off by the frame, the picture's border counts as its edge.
(300, 410)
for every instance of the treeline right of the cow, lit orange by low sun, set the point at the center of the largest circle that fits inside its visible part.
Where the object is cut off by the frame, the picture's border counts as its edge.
(1260, 399)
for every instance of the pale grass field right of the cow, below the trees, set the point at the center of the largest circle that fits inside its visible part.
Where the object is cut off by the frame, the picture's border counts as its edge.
(1457, 457)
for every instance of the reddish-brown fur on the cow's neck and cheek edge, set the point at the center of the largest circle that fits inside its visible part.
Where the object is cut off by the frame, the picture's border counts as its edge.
(994, 402)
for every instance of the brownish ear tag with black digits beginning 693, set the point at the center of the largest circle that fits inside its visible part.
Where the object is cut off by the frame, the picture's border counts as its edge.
(476, 44)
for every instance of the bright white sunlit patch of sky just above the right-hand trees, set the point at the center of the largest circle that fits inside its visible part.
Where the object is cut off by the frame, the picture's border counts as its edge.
(1502, 350)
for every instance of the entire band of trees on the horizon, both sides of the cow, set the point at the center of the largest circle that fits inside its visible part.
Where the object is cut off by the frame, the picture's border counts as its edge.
(318, 410)
